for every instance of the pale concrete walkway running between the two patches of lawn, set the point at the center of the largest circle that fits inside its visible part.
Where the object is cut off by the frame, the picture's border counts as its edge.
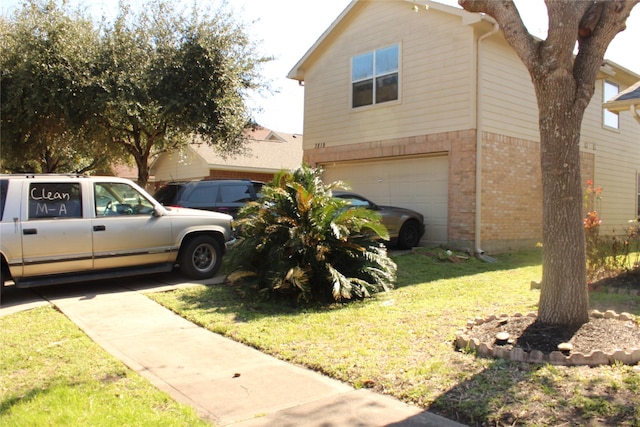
(227, 382)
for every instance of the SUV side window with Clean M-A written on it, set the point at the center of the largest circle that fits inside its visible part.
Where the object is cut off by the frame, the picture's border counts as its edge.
(55, 200)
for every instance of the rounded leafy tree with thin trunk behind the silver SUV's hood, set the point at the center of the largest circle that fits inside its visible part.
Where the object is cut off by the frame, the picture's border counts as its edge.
(167, 76)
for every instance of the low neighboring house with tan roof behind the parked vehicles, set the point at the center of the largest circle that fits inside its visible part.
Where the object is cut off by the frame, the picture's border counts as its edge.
(266, 153)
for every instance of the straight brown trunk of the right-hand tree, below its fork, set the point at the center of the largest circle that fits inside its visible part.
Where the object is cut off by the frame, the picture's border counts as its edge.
(564, 299)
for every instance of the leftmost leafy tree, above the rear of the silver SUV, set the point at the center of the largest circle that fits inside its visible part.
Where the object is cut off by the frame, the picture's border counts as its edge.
(46, 58)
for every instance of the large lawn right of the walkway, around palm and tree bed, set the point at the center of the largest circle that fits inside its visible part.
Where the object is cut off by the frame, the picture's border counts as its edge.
(400, 343)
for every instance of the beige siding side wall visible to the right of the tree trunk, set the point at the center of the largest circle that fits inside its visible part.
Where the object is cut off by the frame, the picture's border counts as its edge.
(617, 162)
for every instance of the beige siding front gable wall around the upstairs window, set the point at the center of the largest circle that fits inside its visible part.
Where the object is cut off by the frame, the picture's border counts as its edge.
(436, 78)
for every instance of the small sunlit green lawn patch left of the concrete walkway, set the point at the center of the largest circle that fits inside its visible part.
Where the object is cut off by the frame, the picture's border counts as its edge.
(52, 374)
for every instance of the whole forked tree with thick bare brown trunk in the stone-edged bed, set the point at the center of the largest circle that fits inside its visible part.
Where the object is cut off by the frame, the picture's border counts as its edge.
(564, 84)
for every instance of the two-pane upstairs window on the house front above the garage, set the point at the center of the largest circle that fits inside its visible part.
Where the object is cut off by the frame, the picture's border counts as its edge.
(374, 77)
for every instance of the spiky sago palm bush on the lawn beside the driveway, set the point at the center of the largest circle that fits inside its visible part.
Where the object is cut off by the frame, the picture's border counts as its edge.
(300, 242)
